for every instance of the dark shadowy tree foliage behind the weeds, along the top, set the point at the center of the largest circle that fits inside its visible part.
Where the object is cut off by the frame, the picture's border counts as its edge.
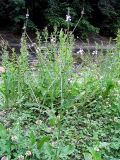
(101, 16)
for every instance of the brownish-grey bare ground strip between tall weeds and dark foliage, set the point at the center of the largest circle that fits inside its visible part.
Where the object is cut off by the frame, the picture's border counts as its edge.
(93, 42)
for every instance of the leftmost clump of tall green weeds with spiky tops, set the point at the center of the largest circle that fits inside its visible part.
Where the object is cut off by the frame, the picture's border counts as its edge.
(14, 86)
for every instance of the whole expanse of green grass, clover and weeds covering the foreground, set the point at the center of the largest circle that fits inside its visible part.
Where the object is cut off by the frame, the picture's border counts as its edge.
(52, 112)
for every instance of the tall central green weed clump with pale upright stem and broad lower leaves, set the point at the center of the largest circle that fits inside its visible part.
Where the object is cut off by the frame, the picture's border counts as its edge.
(50, 87)
